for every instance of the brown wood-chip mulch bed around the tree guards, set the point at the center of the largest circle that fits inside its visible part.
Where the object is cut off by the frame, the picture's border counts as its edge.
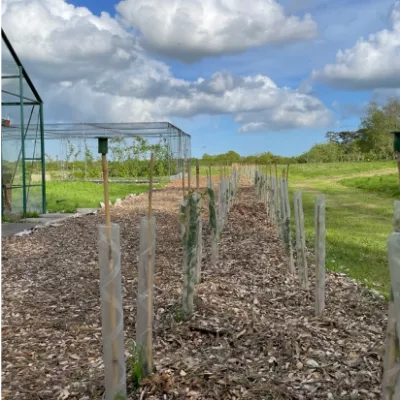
(253, 336)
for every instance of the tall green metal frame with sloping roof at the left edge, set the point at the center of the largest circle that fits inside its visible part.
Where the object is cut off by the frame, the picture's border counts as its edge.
(22, 79)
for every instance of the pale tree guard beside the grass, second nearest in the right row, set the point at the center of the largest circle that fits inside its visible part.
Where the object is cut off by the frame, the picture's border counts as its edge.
(319, 254)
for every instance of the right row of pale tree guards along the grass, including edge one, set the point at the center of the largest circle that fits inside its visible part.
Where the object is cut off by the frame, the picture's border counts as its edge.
(273, 191)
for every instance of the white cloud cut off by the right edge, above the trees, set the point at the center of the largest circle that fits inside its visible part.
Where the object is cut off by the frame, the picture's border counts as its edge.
(371, 63)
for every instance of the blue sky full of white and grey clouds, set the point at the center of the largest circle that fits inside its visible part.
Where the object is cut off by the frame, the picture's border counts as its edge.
(263, 75)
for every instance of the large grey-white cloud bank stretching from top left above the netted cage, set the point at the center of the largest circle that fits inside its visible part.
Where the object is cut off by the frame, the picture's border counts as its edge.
(90, 68)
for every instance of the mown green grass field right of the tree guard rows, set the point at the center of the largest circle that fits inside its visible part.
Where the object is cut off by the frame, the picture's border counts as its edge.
(359, 217)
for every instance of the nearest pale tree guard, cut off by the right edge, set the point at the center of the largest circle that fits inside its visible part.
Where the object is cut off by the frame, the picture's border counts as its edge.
(391, 364)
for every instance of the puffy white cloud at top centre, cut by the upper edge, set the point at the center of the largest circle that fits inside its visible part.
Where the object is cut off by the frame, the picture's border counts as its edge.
(192, 30)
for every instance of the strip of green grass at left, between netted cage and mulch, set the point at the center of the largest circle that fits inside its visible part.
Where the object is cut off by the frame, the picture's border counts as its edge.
(85, 194)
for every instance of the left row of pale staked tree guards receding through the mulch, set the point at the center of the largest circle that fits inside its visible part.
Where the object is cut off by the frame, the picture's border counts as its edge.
(190, 209)
